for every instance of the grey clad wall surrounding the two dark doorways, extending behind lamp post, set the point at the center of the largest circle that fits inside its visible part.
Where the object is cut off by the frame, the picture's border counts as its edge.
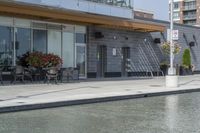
(145, 54)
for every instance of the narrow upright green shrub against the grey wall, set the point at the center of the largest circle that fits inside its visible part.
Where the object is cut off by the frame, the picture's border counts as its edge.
(186, 60)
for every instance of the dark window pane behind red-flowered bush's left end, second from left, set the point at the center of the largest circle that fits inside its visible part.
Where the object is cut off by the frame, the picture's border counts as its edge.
(23, 41)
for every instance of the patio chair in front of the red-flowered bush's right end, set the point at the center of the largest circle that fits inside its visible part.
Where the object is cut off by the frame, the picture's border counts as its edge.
(52, 73)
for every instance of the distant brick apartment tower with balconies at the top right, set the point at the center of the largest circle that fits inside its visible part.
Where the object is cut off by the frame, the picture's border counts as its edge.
(187, 12)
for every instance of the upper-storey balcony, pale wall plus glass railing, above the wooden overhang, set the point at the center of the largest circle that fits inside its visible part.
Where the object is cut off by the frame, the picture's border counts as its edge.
(115, 8)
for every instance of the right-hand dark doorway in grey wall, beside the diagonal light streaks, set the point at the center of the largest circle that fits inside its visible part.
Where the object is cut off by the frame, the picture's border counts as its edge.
(125, 60)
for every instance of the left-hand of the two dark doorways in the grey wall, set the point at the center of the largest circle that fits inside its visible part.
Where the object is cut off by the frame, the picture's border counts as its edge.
(101, 60)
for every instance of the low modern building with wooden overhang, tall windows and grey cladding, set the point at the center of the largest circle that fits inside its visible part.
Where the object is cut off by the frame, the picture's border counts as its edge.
(103, 39)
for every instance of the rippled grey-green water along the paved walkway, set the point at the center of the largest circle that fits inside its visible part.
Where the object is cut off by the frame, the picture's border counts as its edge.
(165, 114)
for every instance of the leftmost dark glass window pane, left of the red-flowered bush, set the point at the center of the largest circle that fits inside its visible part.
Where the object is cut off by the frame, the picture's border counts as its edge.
(6, 48)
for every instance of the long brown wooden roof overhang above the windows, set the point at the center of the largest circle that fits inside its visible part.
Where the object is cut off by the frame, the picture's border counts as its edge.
(52, 14)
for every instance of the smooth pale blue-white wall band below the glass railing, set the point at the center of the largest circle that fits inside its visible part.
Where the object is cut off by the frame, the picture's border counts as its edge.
(86, 6)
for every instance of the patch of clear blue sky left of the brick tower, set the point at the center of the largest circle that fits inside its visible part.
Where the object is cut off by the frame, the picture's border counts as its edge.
(158, 7)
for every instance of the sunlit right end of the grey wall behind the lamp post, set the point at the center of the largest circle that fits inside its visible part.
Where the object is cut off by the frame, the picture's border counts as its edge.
(187, 34)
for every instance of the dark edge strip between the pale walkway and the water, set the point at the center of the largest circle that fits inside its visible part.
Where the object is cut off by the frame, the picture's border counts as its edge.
(19, 108)
